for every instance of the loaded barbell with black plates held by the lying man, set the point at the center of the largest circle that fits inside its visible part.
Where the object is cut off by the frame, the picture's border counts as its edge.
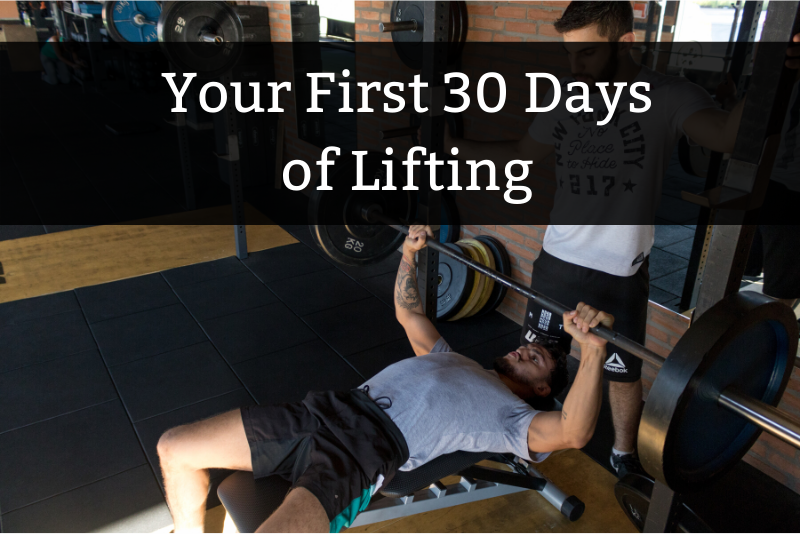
(713, 395)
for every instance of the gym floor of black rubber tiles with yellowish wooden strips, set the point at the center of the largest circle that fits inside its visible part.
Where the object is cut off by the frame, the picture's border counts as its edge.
(90, 377)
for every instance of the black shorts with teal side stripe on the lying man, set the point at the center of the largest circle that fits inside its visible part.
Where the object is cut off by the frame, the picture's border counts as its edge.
(340, 446)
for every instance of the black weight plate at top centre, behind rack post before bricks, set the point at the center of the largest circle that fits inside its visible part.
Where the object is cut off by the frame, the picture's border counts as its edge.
(408, 44)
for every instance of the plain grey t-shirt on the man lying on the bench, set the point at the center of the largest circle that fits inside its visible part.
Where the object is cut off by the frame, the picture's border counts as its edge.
(445, 402)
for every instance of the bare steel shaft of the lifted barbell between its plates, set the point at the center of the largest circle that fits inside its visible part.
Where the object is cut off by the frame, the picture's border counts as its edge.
(373, 214)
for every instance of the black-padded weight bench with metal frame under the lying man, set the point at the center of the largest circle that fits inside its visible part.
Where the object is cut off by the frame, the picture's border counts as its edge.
(250, 501)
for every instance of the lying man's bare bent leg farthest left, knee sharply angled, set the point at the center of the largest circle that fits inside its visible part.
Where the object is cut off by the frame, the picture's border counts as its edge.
(186, 454)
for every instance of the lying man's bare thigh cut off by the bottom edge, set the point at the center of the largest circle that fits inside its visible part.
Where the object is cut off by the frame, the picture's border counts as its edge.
(300, 512)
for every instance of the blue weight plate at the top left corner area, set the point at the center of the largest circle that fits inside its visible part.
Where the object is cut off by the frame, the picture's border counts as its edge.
(132, 22)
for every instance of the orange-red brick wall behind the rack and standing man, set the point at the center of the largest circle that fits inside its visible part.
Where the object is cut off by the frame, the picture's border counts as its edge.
(528, 22)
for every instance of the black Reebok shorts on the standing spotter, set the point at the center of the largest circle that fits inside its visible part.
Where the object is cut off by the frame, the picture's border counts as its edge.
(623, 297)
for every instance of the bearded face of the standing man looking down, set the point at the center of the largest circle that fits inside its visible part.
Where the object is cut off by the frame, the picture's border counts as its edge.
(592, 58)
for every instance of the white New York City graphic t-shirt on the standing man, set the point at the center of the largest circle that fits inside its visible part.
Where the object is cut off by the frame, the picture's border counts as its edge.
(611, 175)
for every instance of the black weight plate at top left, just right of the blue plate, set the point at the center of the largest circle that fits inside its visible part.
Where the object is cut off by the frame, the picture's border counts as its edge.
(201, 37)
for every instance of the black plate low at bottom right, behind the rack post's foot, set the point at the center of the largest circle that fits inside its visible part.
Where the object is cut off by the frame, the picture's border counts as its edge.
(634, 492)
